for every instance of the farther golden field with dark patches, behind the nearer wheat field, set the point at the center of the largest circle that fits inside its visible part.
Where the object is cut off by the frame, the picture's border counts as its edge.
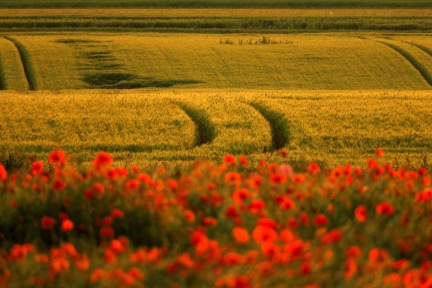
(292, 62)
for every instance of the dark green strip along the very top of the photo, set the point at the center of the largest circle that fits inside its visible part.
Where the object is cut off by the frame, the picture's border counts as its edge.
(216, 4)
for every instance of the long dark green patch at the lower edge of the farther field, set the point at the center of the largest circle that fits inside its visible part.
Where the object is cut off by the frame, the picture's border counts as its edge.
(129, 81)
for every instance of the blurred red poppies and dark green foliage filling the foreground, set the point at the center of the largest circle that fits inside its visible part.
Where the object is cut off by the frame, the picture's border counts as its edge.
(215, 226)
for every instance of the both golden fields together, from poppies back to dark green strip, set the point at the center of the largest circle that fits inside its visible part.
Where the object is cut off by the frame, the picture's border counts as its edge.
(250, 94)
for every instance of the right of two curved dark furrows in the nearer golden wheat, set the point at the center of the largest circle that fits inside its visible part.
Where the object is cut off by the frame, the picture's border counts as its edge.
(279, 125)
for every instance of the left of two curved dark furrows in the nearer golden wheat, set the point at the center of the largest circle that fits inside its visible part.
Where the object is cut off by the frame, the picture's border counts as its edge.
(205, 130)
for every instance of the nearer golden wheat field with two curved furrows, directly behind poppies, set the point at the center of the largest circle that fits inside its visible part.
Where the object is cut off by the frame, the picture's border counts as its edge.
(176, 128)
